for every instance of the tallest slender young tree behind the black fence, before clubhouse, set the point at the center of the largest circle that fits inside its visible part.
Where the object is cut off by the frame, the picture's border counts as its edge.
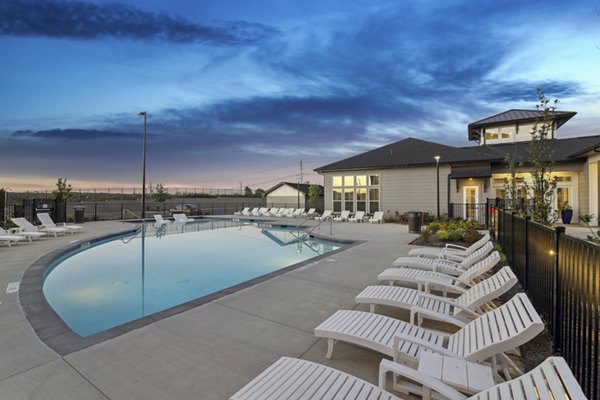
(541, 155)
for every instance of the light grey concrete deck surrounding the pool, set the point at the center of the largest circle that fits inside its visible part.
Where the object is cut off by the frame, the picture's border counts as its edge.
(208, 352)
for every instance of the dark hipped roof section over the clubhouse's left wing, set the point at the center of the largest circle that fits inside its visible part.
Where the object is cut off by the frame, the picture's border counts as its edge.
(404, 153)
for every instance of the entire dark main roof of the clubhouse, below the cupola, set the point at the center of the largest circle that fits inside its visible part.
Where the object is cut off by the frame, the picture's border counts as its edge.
(416, 152)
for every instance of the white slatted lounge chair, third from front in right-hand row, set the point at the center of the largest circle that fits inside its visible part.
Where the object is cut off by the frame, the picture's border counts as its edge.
(458, 311)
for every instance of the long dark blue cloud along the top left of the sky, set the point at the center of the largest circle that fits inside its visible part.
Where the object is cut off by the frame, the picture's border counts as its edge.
(88, 21)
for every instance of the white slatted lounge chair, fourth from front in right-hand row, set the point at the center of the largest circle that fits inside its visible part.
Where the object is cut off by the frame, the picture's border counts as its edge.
(426, 280)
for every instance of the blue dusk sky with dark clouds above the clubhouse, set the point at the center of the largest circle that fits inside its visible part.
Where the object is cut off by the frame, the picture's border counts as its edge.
(240, 92)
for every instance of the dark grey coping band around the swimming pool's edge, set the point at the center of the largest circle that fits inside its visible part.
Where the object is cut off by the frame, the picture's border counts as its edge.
(53, 332)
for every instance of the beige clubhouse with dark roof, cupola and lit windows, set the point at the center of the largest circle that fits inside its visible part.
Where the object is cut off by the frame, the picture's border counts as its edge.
(402, 177)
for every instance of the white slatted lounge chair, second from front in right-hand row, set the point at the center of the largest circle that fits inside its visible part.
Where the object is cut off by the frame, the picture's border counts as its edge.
(487, 337)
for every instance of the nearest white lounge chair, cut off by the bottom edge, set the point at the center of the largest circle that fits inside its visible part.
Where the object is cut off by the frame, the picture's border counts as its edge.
(293, 379)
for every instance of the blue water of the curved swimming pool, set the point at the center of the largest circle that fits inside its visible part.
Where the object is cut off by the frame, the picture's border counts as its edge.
(122, 279)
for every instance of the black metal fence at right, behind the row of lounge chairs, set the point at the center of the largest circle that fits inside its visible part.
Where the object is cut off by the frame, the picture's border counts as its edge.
(561, 275)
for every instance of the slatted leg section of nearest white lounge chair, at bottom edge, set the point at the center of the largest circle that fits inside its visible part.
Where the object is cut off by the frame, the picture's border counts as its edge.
(290, 378)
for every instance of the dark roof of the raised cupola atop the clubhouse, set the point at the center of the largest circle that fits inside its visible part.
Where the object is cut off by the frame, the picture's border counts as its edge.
(516, 116)
